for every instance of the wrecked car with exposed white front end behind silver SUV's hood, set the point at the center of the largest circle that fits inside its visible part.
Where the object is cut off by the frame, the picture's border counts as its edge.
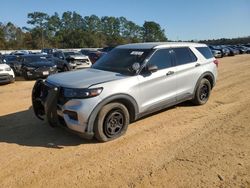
(70, 60)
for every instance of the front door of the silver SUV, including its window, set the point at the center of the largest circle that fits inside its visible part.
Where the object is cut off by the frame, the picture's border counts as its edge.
(158, 88)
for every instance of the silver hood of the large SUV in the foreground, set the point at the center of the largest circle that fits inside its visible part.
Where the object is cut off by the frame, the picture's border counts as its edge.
(83, 78)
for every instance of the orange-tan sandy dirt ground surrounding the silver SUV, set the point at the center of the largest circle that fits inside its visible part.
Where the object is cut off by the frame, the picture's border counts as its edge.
(184, 146)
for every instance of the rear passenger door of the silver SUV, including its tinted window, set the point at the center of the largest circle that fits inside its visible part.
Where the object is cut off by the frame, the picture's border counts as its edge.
(188, 71)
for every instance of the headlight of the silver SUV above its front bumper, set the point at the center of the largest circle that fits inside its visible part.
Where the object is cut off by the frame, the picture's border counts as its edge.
(81, 93)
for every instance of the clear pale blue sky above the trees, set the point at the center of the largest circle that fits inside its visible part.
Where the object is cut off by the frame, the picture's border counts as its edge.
(181, 19)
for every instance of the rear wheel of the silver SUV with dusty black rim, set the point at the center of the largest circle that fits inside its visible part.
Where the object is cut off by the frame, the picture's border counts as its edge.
(202, 92)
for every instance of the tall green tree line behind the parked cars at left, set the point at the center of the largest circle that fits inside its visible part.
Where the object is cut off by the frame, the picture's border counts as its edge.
(71, 30)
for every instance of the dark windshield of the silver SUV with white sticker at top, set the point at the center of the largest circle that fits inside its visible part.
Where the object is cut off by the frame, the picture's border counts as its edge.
(121, 60)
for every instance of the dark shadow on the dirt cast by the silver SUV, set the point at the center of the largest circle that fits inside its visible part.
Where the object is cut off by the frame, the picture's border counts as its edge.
(23, 128)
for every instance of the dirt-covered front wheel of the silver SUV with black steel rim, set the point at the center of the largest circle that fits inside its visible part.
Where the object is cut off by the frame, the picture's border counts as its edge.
(111, 122)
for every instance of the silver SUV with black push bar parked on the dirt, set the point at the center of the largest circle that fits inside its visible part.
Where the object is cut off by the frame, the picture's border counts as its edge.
(129, 82)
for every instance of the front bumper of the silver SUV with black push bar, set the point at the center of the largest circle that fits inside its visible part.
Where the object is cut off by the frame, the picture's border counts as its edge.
(48, 104)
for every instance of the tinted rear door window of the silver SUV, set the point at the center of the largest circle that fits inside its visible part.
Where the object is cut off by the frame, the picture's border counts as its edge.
(184, 55)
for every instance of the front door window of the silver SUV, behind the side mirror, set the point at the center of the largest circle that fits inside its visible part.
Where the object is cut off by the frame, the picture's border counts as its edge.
(161, 58)
